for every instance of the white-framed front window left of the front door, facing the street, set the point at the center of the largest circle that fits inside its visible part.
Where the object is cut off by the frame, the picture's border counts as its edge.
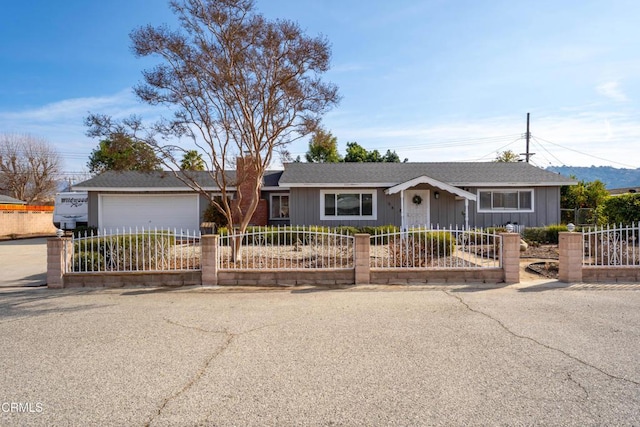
(336, 205)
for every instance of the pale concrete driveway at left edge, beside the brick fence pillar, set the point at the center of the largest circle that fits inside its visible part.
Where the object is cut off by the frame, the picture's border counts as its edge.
(23, 262)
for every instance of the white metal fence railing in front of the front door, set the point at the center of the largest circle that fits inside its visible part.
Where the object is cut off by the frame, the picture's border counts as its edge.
(425, 247)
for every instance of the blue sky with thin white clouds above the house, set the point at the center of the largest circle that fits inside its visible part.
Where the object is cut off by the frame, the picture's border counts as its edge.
(434, 80)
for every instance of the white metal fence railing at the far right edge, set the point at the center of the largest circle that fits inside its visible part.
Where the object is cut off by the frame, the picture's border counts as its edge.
(615, 246)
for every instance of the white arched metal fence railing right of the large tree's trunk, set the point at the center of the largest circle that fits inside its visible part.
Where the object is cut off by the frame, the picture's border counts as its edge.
(284, 248)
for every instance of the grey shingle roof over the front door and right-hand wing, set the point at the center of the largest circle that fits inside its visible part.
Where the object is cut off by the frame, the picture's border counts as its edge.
(458, 174)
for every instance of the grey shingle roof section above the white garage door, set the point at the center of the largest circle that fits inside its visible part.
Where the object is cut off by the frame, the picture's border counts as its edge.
(134, 181)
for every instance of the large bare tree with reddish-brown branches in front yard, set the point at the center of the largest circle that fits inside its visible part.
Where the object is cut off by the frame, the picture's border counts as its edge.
(239, 85)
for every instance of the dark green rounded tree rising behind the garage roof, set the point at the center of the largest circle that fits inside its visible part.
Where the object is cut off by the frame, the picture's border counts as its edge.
(122, 153)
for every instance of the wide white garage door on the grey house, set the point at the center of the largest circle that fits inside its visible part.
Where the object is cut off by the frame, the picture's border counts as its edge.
(178, 211)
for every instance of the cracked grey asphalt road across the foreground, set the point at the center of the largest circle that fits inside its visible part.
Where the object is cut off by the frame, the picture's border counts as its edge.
(362, 356)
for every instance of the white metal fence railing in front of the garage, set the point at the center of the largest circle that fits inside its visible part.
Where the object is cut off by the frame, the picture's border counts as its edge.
(133, 249)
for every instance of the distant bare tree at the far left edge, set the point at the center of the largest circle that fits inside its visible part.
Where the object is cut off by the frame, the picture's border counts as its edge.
(29, 168)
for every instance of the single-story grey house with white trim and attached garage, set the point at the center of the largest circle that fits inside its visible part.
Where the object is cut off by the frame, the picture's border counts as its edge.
(333, 194)
